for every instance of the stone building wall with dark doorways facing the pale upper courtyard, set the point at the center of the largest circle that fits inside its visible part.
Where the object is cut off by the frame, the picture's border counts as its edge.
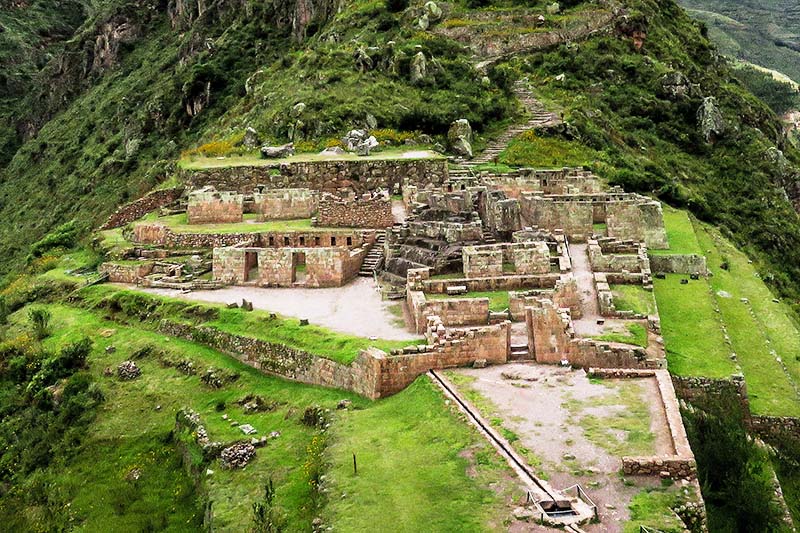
(287, 267)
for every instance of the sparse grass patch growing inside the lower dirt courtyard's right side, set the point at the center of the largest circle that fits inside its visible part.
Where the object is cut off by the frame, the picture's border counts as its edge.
(625, 429)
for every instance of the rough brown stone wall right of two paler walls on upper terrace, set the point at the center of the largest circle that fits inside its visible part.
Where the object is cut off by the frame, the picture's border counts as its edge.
(358, 213)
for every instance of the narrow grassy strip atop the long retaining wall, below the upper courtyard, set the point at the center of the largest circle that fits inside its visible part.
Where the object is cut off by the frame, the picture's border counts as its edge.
(257, 324)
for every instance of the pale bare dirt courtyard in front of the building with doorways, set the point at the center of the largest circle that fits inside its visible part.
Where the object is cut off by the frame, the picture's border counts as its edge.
(355, 309)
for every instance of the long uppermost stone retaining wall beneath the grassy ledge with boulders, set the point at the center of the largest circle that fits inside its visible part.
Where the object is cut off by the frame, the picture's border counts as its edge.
(361, 175)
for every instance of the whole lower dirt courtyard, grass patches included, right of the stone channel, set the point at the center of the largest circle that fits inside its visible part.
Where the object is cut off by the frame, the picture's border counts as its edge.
(573, 429)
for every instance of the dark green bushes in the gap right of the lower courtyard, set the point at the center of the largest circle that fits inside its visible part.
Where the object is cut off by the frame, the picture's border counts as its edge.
(734, 472)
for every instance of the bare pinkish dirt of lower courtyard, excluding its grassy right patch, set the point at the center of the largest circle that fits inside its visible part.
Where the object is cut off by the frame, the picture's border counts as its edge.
(535, 407)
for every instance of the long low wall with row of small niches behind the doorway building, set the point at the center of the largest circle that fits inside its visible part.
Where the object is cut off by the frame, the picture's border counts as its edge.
(161, 235)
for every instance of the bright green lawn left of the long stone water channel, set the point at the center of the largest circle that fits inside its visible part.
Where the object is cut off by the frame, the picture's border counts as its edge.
(413, 454)
